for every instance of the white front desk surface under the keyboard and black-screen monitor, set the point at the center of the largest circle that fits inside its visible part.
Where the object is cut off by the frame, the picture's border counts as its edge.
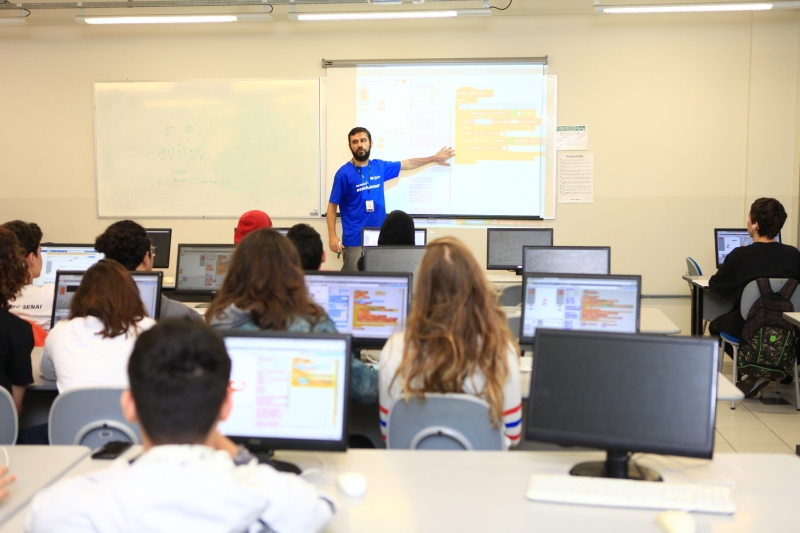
(439, 491)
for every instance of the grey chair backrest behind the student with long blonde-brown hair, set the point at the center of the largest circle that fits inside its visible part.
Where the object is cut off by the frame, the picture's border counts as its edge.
(443, 422)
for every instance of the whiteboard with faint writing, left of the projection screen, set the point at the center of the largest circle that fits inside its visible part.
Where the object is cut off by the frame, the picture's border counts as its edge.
(213, 148)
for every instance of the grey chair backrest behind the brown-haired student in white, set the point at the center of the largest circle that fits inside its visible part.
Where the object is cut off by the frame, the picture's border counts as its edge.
(90, 417)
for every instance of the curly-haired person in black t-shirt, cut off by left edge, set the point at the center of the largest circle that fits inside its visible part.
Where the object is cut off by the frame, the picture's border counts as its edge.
(16, 335)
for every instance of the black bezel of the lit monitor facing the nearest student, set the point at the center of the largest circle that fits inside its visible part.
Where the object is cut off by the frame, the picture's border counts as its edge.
(262, 444)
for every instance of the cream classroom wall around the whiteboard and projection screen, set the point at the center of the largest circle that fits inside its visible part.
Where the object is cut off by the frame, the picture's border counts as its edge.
(691, 116)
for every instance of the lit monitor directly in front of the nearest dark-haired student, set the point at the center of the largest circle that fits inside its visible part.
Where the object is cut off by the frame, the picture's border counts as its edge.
(290, 391)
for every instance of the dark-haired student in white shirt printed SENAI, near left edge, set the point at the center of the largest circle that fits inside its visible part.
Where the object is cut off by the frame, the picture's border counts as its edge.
(34, 304)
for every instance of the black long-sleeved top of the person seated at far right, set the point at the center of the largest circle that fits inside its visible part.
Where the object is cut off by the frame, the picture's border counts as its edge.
(758, 260)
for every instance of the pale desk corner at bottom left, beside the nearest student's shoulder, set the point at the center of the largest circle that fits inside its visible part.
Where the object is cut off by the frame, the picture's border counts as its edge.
(35, 467)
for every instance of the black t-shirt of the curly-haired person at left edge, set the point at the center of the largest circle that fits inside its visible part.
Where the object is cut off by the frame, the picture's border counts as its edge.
(16, 345)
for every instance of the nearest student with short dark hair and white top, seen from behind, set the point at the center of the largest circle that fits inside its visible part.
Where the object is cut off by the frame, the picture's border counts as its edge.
(190, 477)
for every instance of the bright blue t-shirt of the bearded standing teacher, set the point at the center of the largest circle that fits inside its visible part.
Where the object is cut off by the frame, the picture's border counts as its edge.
(352, 187)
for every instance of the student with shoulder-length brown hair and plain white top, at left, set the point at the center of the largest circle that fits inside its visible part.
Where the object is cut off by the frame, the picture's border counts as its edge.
(91, 348)
